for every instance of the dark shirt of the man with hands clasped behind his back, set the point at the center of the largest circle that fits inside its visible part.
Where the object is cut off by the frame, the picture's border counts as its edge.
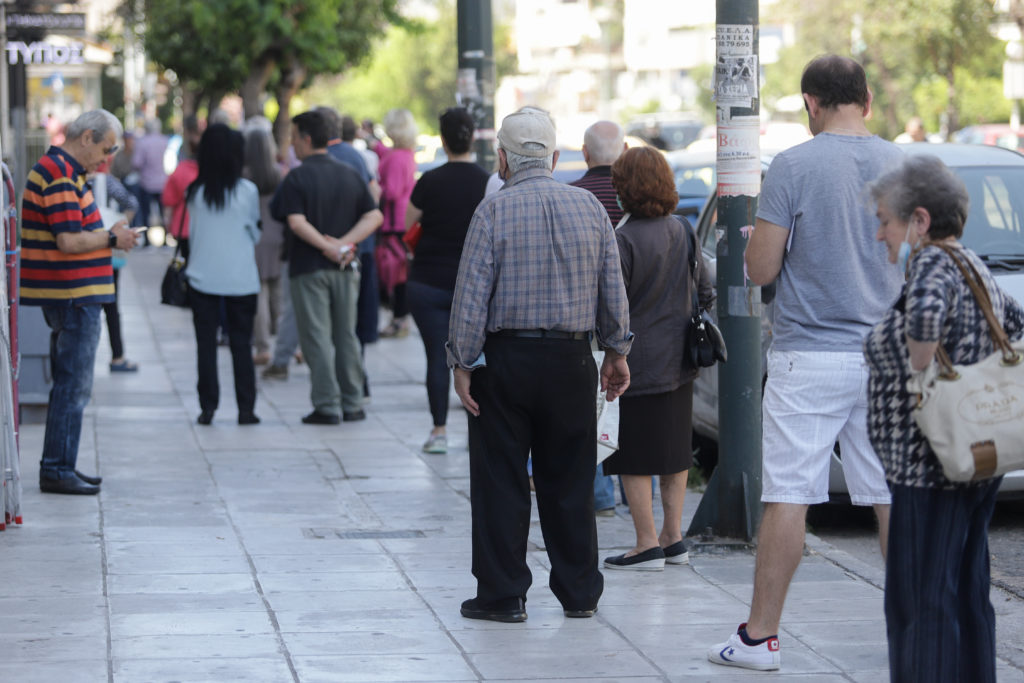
(331, 195)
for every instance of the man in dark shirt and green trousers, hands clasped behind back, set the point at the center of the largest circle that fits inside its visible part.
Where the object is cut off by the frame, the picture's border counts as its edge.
(329, 207)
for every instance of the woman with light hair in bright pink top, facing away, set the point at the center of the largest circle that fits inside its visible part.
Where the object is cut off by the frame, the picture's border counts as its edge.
(398, 177)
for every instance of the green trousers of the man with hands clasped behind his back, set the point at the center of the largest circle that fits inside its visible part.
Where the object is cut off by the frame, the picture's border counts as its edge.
(325, 304)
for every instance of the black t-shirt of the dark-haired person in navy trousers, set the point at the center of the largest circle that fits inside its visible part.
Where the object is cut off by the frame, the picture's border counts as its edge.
(448, 196)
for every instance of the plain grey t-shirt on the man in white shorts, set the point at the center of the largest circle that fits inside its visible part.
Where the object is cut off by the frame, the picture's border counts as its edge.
(836, 281)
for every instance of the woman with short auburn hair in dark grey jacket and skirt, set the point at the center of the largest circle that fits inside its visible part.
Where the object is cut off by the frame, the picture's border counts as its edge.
(655, 429)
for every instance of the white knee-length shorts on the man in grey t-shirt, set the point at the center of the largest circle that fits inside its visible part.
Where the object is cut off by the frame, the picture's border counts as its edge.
(812, 401)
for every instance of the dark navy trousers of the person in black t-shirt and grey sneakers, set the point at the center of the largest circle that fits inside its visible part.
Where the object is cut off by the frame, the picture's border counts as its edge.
(432, 309)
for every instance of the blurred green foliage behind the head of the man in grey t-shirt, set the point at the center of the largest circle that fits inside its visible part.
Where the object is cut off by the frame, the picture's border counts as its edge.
(926, 58)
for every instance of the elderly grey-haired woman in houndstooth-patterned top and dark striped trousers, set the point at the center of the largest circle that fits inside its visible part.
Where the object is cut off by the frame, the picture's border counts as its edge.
(941, 622)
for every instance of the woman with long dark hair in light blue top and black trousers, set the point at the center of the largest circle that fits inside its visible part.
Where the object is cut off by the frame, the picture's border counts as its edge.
(224, 212)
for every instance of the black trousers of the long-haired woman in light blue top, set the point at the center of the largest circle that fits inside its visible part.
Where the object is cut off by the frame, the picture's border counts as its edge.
(206, 318)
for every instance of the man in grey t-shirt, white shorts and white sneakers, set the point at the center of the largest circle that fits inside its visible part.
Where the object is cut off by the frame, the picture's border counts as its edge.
(816, 235)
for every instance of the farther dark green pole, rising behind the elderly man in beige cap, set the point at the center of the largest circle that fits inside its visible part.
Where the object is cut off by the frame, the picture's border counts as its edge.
(476, 83)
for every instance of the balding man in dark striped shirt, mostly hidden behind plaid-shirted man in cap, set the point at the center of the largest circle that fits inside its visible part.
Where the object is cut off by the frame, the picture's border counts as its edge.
(603, 145)
